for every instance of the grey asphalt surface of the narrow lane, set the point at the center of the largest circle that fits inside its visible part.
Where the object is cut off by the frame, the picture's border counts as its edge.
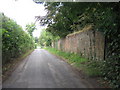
(44, 70)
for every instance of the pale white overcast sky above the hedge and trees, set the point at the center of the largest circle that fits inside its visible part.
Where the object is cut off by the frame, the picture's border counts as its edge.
(23, 12)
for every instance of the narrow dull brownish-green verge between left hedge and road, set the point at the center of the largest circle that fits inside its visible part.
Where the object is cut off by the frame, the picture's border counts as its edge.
(9, 67)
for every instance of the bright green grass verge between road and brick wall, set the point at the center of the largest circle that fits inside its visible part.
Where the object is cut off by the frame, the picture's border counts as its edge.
(89, 68)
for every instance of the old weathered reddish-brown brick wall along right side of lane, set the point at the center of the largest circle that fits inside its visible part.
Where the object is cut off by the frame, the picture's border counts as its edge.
(89, 44)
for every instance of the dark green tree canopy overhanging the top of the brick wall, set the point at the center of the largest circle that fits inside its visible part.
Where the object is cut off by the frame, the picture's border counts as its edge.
(69, 17)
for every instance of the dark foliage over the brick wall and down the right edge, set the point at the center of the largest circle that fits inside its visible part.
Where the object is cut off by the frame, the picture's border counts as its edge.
(68, 17)
